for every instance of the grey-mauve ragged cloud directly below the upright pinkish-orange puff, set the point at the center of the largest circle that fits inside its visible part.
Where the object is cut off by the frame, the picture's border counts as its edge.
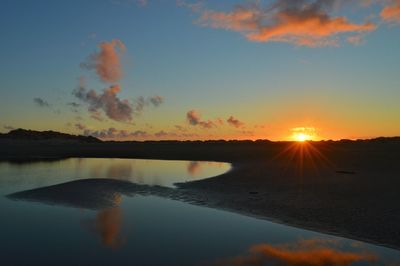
(115, 108)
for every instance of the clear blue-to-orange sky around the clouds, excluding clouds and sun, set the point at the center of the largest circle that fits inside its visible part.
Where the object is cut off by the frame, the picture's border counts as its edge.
(343, 91)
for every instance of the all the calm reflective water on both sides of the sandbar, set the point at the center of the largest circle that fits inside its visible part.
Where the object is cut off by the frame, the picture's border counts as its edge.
(149, 230)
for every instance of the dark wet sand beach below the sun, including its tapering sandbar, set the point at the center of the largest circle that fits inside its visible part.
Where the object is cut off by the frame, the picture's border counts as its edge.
(345, 188)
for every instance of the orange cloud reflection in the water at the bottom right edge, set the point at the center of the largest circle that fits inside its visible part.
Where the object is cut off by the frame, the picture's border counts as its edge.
(311, 252)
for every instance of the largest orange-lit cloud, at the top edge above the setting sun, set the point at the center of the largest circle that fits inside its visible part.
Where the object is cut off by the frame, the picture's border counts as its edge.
(301, 23)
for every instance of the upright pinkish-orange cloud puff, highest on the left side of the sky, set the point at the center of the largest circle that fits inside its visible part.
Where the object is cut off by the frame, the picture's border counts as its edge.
(106, 62)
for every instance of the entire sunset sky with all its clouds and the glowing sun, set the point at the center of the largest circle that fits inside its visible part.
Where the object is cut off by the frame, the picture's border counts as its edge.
(198, 70)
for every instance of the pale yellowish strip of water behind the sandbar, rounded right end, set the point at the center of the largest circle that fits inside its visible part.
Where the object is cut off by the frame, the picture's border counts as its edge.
(148, 172)
